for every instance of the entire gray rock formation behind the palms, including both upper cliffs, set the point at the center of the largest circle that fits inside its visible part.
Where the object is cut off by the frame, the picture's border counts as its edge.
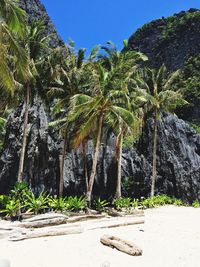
(178, 145)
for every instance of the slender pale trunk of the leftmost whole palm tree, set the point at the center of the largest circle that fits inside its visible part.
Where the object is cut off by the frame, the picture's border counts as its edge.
(25, 130)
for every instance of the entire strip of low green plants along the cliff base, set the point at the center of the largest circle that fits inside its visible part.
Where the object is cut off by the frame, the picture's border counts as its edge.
(22, 200)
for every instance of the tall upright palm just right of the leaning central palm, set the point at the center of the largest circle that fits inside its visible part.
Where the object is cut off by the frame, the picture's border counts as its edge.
(124, 65)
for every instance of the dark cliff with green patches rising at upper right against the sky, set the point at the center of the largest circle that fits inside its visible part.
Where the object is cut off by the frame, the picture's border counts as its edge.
(169, 40)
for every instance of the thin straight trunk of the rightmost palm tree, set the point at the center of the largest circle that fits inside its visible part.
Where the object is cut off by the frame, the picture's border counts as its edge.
(154, 154)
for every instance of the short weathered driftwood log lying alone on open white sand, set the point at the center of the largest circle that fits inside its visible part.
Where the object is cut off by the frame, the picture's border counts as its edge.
(121, 245)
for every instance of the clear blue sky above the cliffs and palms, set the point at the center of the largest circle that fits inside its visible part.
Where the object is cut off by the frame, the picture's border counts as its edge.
(92, 22)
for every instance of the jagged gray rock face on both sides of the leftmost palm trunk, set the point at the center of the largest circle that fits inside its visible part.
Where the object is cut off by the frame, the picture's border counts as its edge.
(41, 158)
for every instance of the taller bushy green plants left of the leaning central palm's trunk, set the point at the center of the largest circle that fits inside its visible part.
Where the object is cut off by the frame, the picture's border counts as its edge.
(22, 200)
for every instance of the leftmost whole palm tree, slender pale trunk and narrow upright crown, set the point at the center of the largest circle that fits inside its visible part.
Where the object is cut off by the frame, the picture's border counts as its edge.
(36, 47)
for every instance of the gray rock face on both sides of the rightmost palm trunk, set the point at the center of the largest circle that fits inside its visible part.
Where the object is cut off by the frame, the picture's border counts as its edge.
(178, 160)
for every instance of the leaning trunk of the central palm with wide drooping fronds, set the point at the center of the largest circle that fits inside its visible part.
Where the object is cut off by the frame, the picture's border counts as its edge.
(94, 164)
